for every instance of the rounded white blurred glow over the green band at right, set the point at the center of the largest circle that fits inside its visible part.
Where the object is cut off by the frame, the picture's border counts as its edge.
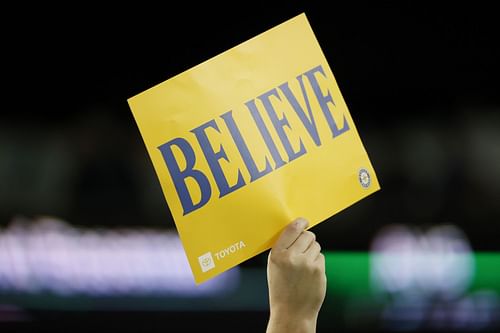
(434, 262)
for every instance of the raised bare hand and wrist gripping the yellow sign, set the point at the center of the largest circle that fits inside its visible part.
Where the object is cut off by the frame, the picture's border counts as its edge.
(296, 280)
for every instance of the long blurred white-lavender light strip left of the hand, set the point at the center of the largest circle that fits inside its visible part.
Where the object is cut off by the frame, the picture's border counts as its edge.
(50, 255)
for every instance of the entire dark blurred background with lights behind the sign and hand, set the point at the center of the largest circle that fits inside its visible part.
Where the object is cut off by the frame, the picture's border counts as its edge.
(87, 242)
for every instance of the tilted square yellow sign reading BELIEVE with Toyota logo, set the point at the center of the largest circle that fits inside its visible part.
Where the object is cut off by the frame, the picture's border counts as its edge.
(247, 141)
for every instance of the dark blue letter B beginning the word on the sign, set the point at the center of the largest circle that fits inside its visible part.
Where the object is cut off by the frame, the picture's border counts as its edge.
(179, 176)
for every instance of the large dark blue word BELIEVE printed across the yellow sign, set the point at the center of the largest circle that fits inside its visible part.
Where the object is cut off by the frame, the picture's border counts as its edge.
(280, 123)
